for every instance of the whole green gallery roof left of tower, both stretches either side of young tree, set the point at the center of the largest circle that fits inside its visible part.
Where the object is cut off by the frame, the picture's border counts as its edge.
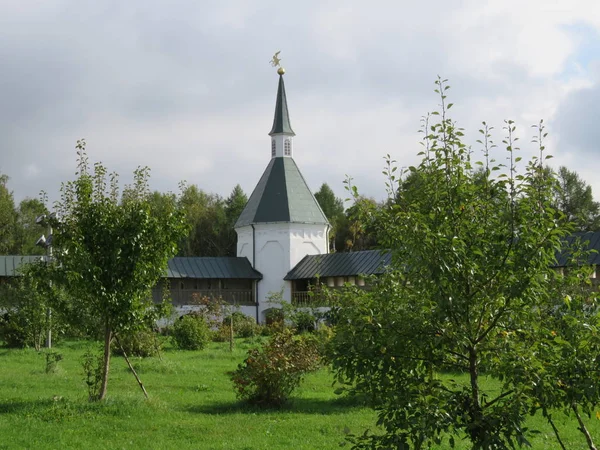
(193, 267)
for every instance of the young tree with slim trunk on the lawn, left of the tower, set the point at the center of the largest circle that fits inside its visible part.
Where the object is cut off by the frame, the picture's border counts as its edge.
(111, 252)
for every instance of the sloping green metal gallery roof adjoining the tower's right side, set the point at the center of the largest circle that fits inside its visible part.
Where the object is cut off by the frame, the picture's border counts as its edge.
(368, 262)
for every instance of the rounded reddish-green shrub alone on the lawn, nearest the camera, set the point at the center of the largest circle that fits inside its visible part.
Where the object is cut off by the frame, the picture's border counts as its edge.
(269, 375)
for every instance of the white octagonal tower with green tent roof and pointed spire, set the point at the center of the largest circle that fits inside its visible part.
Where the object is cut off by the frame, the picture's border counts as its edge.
(282, 221)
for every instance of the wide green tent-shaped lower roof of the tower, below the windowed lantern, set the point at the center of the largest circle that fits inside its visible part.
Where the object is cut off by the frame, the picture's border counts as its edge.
(281, 195)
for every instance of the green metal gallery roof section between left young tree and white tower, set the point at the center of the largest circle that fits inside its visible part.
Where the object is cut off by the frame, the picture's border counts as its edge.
(212, 267)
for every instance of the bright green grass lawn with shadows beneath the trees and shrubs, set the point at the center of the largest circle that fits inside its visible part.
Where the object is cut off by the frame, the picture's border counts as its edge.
(192, 405)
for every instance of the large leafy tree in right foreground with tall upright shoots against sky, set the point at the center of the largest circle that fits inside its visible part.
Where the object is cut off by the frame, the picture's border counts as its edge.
(472, 257)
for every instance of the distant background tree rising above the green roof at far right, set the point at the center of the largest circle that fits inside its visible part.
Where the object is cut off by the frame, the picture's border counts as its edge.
(573, 197)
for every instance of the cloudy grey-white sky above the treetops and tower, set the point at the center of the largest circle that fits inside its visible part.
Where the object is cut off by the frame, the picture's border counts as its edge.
(186, 88)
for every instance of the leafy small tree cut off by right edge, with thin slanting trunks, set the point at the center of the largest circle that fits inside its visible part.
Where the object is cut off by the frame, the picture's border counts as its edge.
(567, 345)
